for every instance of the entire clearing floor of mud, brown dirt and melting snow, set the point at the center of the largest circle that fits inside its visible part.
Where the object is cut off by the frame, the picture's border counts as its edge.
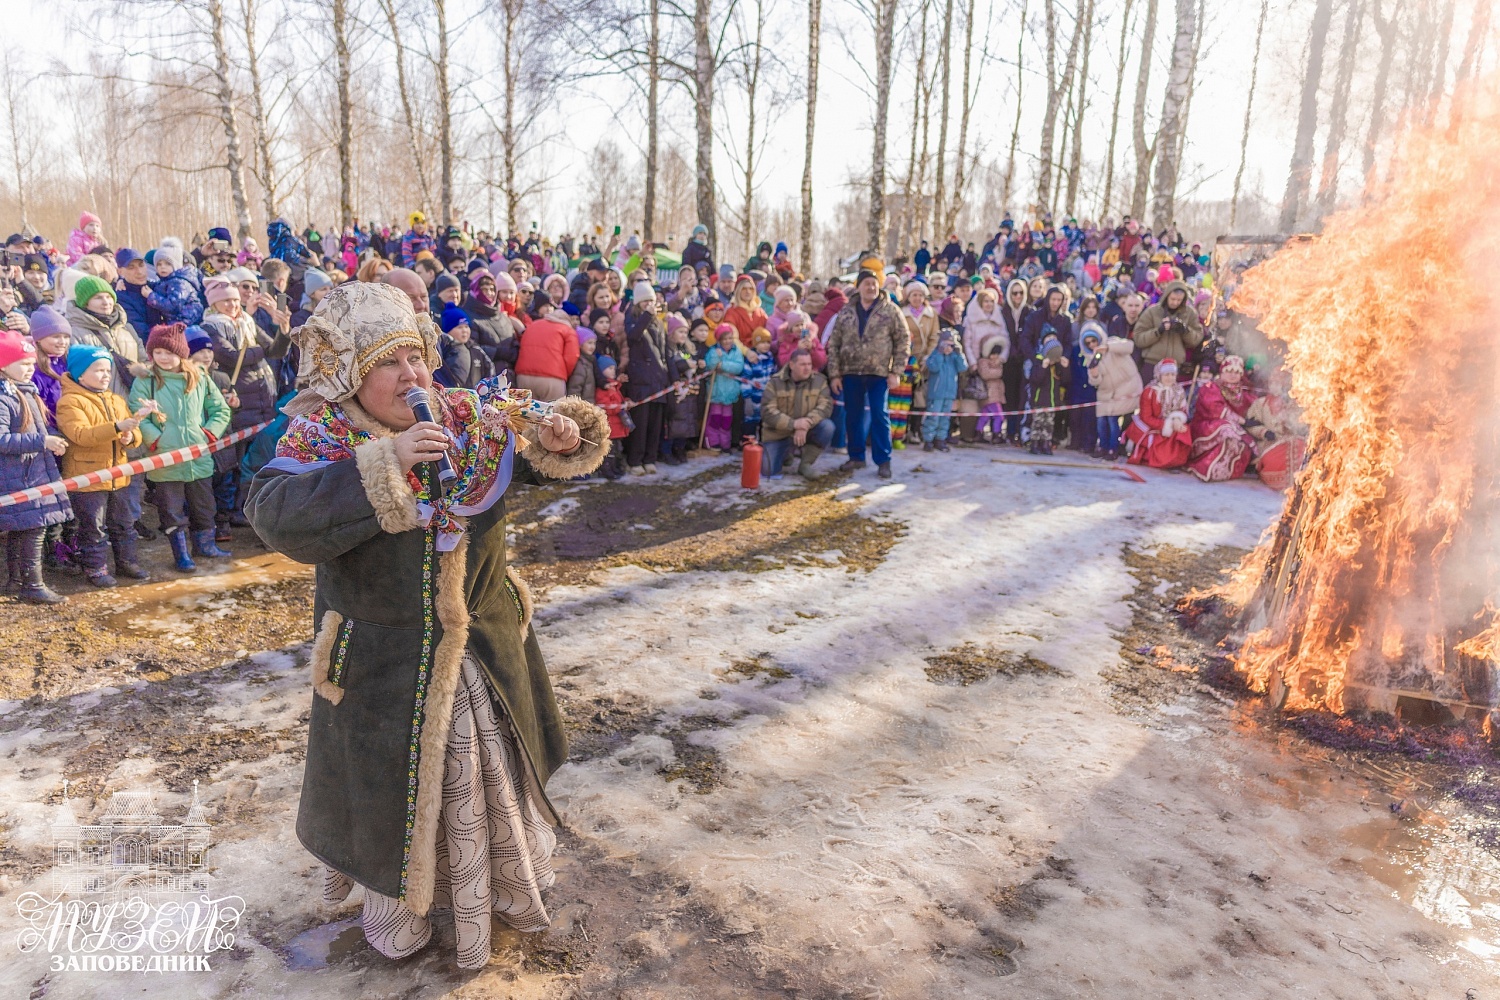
(671, 812)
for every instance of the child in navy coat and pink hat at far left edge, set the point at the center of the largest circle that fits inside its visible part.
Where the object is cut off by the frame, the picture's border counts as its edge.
(28, 458)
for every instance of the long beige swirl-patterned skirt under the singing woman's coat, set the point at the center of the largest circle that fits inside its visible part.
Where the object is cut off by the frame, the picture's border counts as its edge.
(494, 848)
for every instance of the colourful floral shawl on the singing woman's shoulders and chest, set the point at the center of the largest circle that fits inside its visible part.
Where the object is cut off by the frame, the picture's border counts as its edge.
(479, 424)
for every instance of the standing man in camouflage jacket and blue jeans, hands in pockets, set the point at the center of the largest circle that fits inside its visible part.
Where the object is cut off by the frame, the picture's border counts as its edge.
(868, 352)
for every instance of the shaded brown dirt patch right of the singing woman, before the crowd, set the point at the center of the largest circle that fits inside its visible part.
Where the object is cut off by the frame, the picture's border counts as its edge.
(647, 525)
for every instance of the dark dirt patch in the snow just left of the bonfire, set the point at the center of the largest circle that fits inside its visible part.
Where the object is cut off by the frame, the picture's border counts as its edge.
(1174, 644)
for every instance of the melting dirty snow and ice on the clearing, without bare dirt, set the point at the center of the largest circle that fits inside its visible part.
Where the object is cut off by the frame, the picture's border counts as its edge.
(857, 830)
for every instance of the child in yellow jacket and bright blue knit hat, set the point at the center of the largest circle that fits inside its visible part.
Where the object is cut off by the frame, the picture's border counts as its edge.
(100, 428)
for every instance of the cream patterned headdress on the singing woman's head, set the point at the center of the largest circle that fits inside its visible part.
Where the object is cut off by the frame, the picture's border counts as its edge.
(355, 328)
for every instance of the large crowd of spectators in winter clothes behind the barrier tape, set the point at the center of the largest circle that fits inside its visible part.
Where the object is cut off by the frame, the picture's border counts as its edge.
(1108, 340)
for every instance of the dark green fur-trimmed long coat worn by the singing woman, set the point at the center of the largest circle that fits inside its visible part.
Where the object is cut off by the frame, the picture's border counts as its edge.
(394, 618)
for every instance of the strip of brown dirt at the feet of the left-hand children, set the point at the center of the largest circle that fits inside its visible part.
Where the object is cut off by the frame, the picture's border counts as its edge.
(175, 624)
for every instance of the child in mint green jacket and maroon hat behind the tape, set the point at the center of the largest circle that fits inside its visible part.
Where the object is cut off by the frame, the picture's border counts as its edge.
(190, 410)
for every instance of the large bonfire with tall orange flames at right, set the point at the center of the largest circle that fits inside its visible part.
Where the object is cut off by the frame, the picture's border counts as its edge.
(1378, 587)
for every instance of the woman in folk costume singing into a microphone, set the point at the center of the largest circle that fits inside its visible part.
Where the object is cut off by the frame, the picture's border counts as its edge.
(434, 728)
